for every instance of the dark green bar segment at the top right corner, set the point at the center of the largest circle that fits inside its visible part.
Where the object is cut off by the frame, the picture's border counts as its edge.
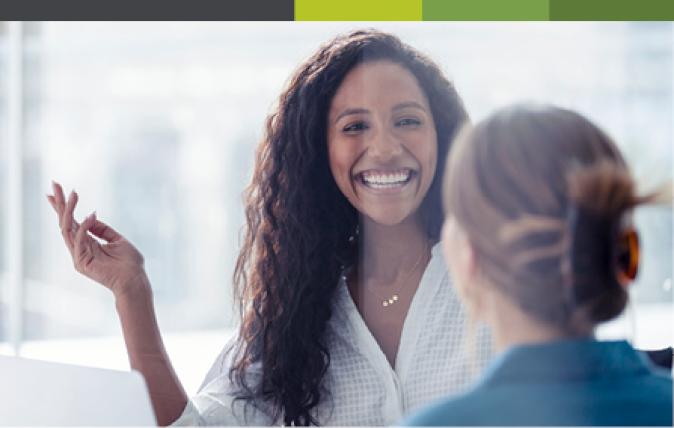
(612, 10)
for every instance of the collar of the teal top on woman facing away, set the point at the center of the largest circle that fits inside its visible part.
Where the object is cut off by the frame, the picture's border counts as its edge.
(567, 360)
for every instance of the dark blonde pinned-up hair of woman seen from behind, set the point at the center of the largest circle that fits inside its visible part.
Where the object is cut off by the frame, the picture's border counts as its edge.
(542, 195)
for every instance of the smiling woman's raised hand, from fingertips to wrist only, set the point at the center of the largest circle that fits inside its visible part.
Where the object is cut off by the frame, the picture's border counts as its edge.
(115, 263)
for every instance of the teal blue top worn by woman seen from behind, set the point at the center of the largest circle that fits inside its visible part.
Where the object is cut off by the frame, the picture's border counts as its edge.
(574, 382)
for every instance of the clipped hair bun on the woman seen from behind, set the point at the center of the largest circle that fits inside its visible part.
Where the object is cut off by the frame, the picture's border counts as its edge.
(599, 197)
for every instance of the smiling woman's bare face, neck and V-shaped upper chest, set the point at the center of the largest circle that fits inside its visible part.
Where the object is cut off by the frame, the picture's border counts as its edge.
(382, 147)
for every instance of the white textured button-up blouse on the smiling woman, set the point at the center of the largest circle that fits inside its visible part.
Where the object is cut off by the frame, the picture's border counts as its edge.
(437, 356)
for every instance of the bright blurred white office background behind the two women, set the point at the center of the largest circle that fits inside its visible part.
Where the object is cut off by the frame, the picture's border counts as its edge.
(155, 125)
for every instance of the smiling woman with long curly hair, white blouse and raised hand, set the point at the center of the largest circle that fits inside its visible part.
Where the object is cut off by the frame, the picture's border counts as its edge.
(348, 316)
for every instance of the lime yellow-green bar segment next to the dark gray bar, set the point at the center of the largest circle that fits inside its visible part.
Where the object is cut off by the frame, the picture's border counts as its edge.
(358, 10)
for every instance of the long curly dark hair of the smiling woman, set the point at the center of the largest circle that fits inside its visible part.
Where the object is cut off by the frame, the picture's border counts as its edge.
(296, 241)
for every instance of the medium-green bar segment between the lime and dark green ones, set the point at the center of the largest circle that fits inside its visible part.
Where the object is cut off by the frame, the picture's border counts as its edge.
(487, 10)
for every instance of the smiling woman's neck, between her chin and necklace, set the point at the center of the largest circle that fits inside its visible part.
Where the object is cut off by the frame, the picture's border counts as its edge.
(388, 252)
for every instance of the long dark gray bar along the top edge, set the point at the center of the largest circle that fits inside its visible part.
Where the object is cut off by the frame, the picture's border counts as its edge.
(137, 10)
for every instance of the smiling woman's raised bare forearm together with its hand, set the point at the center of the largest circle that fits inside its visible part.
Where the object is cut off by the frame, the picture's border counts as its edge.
(117, 264)
